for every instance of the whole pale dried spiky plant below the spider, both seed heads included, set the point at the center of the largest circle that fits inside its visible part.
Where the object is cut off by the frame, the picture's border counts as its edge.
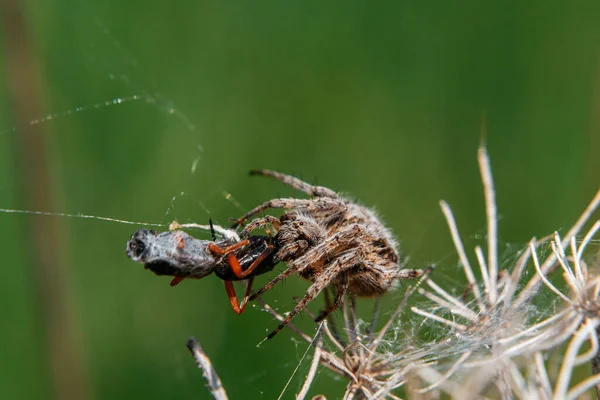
(517, 331)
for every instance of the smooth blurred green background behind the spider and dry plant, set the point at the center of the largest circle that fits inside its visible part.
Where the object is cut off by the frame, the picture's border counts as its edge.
(381, 100)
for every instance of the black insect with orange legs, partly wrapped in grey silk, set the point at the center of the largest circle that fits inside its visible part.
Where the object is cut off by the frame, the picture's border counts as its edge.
(176, 253)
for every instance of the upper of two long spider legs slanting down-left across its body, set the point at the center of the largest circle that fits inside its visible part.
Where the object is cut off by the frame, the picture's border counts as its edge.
(323, 250)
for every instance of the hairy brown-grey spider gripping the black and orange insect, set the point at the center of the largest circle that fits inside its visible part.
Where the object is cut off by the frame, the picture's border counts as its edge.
(329, 240)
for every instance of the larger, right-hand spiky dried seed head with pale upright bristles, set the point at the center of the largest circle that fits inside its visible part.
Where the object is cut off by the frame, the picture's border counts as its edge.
(503, 332)
